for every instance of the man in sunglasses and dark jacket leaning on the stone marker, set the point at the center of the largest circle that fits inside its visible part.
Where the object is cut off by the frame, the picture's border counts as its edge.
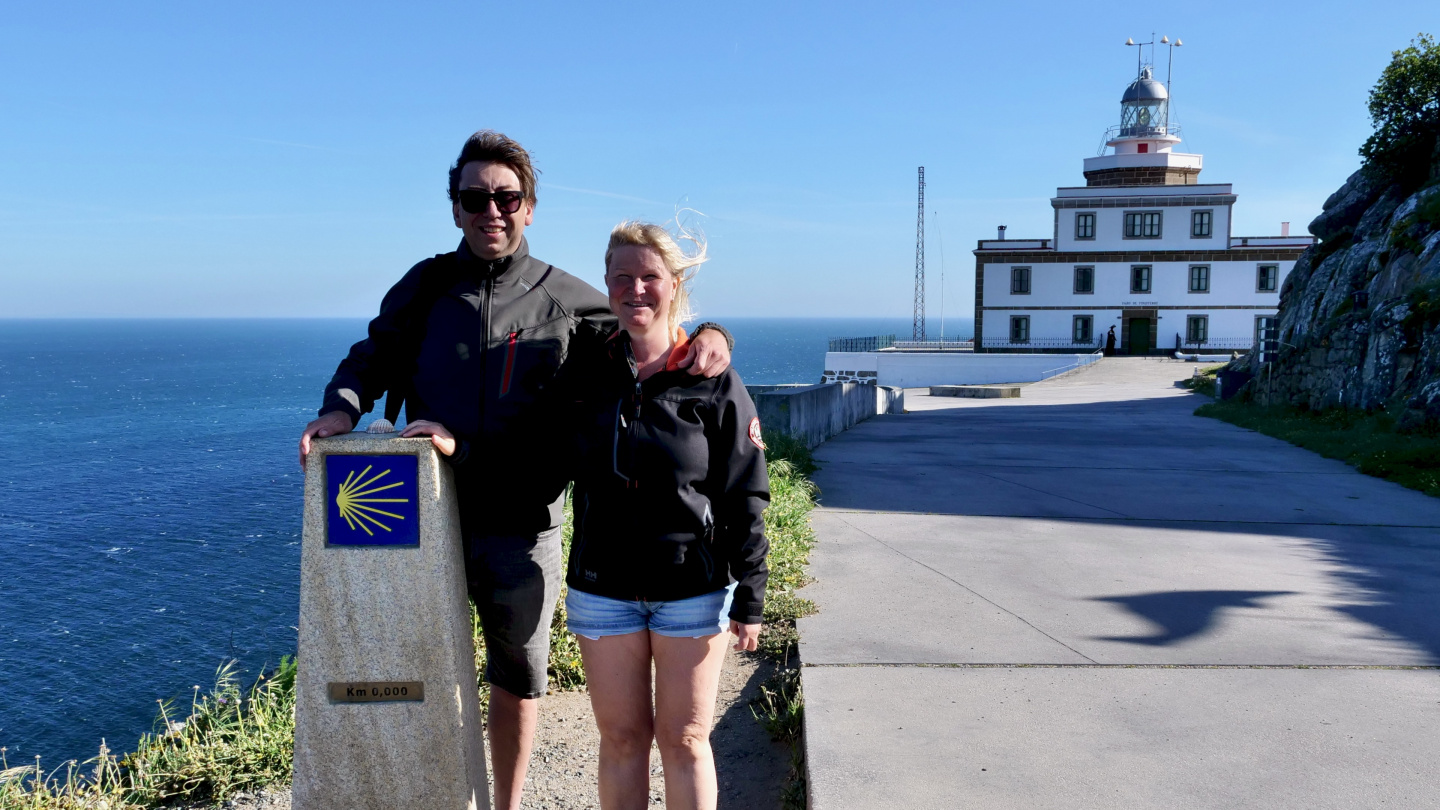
(469, 341)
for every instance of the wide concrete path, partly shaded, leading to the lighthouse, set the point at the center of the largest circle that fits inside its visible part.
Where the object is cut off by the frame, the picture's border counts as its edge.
(1089, 597)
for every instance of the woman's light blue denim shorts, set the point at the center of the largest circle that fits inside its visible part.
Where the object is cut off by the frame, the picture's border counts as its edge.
(696, 618)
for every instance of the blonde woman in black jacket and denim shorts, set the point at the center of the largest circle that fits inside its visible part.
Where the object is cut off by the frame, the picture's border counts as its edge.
(669, 550)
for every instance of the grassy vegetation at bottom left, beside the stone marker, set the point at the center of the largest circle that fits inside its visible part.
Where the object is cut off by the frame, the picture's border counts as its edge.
(233, 740)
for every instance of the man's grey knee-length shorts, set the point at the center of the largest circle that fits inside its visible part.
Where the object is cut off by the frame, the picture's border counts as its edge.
(515, 584)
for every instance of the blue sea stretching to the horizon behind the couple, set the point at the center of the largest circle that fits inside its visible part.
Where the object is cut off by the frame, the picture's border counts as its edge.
(150, 509)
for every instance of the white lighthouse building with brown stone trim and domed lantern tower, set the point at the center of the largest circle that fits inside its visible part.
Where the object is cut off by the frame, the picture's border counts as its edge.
(1143, 247)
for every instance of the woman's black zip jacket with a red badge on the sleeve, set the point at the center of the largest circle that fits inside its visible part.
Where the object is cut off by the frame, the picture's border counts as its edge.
(670, 484)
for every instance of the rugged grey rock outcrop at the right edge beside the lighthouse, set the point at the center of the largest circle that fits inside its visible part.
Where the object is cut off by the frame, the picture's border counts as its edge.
(1360, 315)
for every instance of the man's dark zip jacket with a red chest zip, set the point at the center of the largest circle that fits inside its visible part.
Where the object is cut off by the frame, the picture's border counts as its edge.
(473, 344)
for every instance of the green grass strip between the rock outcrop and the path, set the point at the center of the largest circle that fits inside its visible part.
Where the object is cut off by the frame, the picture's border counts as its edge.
(1367, 442)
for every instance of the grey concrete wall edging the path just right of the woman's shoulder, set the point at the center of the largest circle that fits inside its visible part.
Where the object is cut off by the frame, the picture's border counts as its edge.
(816, 413)
